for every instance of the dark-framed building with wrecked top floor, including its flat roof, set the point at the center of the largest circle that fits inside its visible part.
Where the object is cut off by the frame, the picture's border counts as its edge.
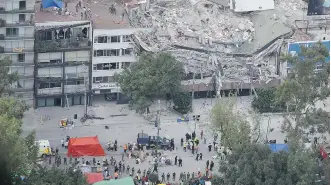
(62, 59)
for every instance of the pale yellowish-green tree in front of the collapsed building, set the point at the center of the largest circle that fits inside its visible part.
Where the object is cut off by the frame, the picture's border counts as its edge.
(232, 126)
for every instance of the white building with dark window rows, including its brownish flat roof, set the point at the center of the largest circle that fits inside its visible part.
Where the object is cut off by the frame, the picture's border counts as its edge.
(113, 50)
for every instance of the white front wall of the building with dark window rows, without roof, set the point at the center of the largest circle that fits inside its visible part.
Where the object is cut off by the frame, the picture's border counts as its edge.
(113, 51)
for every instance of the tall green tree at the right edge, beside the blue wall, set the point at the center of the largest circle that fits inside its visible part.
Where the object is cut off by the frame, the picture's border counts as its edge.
(303, 88)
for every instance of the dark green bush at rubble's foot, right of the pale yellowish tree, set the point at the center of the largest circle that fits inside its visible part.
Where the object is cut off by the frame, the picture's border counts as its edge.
(266, 101)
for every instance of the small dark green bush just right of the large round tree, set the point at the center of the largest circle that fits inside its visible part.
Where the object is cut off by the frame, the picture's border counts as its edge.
(182, 101)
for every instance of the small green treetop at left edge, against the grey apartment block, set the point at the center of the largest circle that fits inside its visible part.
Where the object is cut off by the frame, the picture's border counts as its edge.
(6, 79)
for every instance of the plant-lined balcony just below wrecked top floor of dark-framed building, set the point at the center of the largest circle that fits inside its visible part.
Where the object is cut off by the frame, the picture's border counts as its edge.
(74, 44)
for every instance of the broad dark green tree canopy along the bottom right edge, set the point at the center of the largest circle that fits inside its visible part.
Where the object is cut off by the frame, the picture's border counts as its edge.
(255, 164)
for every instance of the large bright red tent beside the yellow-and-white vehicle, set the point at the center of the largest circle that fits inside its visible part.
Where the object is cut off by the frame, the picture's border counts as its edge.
(85, 146)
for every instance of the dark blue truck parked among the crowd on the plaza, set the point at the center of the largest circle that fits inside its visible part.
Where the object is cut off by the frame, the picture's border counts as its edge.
(152, 141)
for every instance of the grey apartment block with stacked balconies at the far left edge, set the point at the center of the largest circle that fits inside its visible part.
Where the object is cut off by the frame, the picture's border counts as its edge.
(17, 43)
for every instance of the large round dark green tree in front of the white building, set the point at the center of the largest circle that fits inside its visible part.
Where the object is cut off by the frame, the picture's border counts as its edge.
(152, 76)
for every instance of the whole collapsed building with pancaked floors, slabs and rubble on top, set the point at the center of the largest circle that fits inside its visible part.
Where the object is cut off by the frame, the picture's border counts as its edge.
(218, 47)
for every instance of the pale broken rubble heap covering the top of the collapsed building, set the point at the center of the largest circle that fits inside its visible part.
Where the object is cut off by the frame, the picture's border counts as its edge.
(185, 23)
